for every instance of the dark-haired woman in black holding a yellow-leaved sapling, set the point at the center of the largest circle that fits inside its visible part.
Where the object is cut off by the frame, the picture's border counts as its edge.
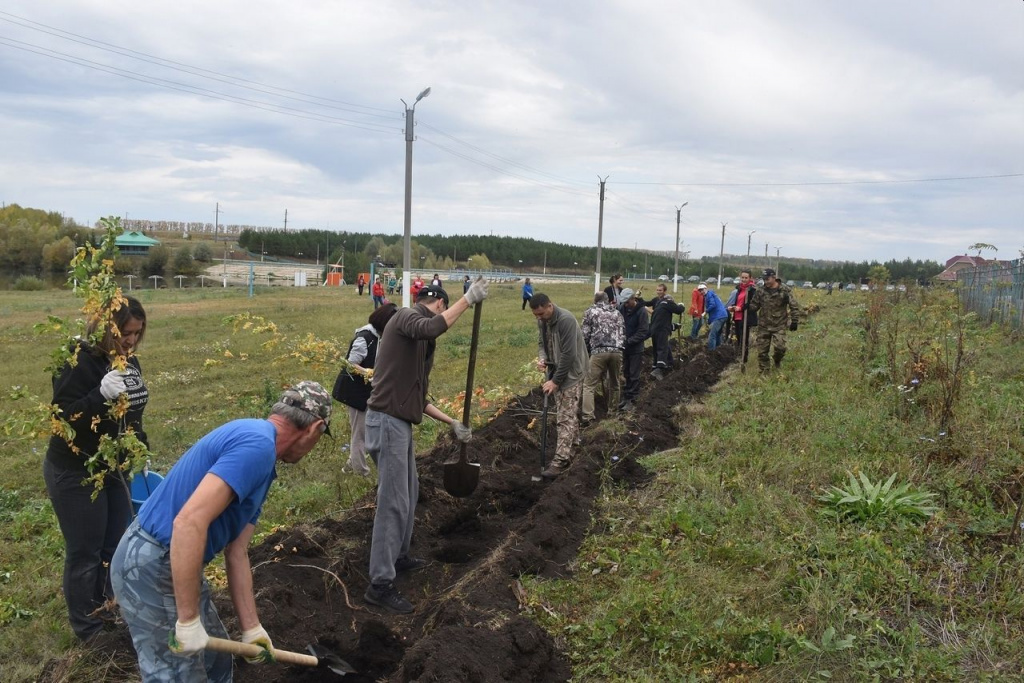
(100, 393)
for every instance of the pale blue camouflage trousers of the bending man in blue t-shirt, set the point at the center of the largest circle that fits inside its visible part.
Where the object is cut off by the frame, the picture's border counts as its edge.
(141, 572)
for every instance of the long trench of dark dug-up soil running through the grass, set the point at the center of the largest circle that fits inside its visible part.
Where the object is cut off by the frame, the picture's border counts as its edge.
(467, 625)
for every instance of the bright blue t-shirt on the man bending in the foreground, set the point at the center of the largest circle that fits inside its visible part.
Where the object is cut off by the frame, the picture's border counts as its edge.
(242, 453)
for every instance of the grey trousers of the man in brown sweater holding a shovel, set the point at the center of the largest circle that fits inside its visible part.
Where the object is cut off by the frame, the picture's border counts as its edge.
(390, 443)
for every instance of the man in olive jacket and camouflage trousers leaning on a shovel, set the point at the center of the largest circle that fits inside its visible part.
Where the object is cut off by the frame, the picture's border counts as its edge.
(563, 348)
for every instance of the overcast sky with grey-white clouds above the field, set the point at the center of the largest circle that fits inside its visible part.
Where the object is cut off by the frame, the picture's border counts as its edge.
(835, 130)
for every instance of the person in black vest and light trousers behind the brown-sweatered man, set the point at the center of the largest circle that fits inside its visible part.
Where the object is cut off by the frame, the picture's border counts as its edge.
(353, 387)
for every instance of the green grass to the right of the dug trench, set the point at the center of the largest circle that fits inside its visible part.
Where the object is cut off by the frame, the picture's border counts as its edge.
(730, 566)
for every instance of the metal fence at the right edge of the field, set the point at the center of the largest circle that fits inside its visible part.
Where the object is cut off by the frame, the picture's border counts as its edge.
(995, 292)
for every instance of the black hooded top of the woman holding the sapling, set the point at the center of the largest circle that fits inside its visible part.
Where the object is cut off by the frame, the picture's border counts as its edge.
(76, 393)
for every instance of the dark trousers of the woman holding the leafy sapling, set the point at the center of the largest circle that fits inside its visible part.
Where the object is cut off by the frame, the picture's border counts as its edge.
(92, 531)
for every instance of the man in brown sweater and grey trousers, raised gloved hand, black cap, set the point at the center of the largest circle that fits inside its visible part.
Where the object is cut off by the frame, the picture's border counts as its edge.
(399, 401)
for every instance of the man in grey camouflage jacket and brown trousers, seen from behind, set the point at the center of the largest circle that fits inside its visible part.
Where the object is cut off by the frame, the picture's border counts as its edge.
(605, 333)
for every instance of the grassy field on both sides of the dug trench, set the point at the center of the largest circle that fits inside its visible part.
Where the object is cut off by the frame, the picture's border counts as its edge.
(727, 566)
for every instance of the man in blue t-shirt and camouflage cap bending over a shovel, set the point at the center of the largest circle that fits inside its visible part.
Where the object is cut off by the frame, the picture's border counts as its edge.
(209, 502)
